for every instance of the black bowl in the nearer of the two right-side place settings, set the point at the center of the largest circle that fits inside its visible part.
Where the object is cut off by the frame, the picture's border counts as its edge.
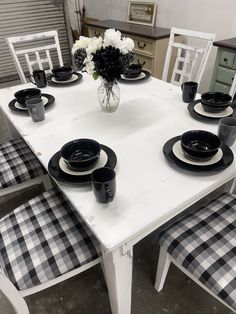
(199, 145)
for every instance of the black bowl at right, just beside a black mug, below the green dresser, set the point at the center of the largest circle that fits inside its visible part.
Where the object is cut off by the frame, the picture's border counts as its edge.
(215, 101)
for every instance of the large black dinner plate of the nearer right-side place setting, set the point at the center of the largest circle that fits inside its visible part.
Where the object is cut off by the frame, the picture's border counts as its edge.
(225, 161)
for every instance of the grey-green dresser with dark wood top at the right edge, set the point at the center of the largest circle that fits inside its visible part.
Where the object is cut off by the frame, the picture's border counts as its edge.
(225, 65)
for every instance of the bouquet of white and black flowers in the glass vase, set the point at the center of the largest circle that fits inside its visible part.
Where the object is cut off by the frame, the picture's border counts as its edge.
(107, 58)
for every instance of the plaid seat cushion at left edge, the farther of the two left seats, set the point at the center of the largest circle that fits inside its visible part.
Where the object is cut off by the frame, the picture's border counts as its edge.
(17, 163)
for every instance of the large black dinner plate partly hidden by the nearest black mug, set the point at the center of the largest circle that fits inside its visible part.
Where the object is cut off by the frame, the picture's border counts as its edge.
(55, 170)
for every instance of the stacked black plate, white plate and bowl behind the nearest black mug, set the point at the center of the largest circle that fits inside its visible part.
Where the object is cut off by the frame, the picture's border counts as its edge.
(75, 162)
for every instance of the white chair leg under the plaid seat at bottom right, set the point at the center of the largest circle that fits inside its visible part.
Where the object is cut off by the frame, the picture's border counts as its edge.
(162, 269)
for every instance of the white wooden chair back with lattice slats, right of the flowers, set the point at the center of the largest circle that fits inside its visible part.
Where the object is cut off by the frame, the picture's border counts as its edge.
(190, 60)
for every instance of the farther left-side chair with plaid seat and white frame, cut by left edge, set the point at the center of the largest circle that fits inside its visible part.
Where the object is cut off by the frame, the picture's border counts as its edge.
(19, 168)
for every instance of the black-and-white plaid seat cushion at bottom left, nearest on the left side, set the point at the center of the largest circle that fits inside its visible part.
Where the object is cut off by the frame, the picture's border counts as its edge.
(43, 239)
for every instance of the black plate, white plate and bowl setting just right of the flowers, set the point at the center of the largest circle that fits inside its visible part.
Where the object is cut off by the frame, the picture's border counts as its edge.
(134, 73)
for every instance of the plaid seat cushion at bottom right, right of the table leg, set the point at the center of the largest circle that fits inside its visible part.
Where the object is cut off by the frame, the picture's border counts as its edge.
(204, 243)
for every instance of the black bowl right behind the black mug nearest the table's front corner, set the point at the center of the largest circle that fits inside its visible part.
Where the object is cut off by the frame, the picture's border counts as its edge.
(81, 154)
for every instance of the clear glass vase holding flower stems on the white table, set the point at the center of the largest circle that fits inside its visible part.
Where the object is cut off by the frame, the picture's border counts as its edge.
(109, 95)
